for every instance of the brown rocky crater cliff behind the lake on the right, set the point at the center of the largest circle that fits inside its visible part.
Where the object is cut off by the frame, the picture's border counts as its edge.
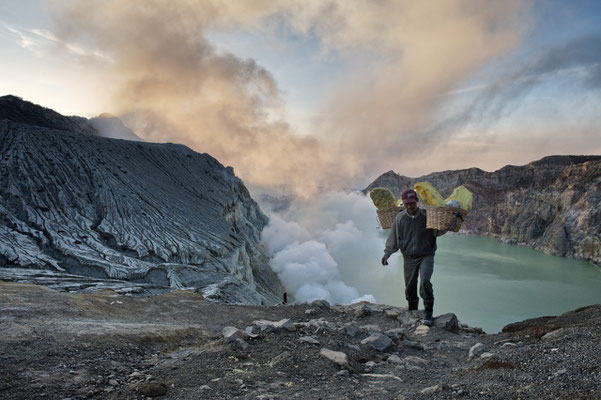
(553, 204)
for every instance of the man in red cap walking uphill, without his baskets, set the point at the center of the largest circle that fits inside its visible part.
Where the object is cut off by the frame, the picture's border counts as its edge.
(418, 245)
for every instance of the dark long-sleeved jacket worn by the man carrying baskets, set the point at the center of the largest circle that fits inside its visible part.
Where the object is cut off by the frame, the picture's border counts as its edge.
(409, 234)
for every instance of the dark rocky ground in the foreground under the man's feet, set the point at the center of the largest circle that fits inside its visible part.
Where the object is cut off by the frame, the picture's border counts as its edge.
(106, 345)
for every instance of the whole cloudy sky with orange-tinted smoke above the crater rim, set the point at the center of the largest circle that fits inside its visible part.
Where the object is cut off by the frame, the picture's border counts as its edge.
(302, 95)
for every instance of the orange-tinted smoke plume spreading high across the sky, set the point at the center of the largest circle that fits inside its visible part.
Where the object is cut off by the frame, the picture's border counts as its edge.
(169, 83)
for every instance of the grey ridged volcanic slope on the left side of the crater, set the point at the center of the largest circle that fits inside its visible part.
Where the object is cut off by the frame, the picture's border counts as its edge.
(79, 211)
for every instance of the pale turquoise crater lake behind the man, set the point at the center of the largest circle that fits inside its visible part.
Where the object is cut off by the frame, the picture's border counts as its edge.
(489, 284)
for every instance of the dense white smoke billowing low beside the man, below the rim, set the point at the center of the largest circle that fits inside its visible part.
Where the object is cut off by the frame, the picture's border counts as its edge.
(329, 248)
